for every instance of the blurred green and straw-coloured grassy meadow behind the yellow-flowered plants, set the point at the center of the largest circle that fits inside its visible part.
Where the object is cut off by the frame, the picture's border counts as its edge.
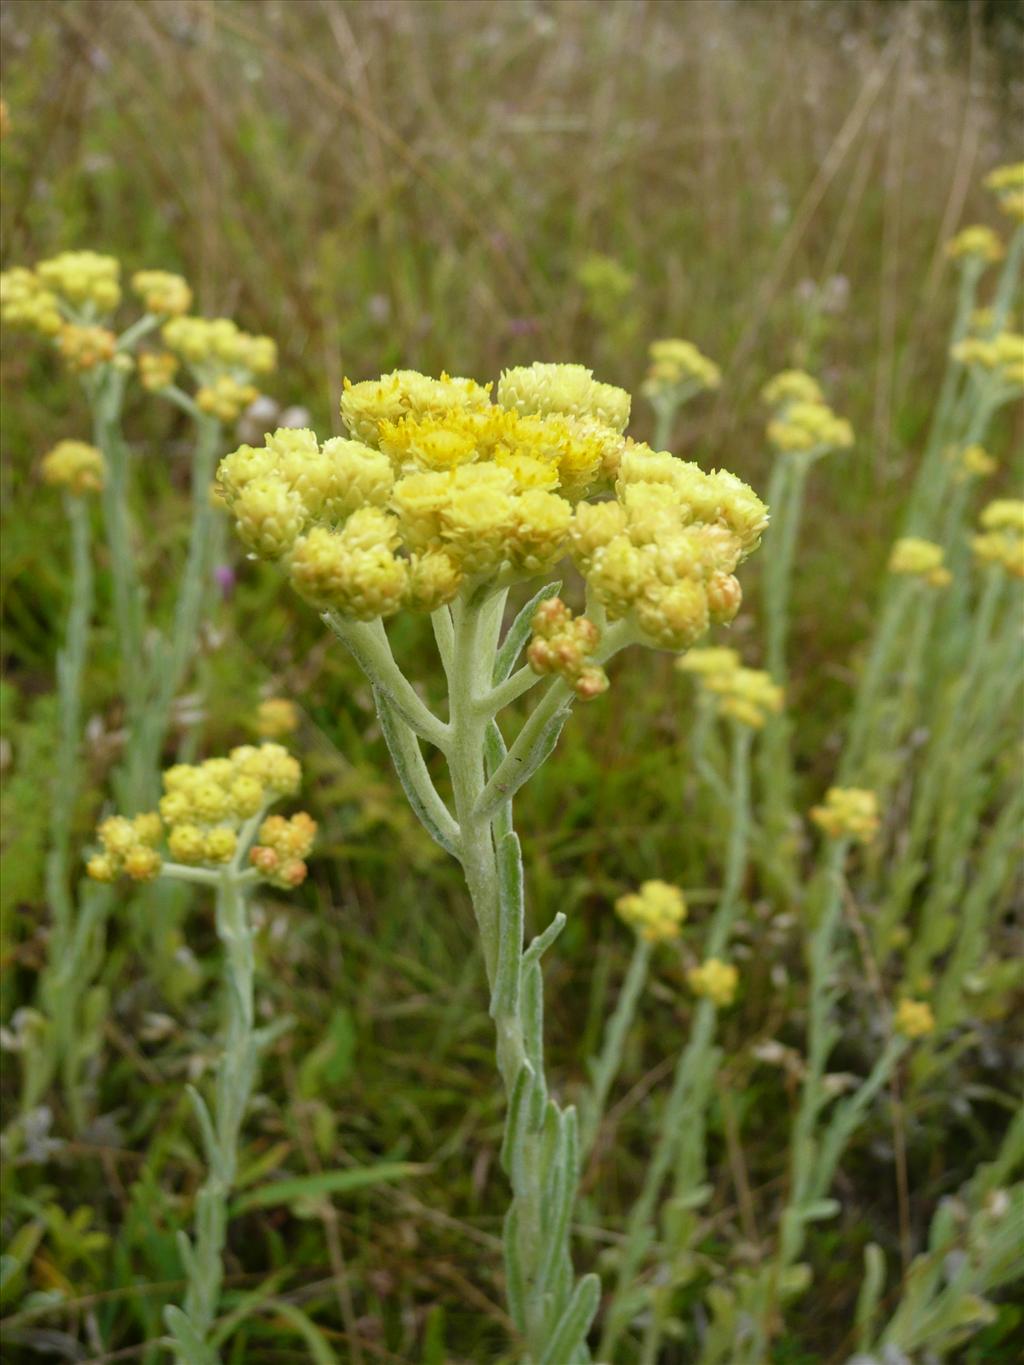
(459, 185)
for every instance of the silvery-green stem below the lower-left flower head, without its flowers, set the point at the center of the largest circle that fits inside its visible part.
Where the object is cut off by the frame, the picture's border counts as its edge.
(237, 1068)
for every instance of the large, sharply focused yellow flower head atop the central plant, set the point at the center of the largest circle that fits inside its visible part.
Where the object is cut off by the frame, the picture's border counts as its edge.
(439, 485)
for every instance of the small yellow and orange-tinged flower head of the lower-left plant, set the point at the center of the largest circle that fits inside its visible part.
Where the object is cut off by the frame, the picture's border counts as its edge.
(203, 814)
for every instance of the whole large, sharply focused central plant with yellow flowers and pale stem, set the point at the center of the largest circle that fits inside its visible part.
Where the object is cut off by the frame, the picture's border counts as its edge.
(440, 500)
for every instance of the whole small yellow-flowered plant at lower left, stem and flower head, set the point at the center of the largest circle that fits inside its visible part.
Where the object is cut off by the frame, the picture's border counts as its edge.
(214, 831)
